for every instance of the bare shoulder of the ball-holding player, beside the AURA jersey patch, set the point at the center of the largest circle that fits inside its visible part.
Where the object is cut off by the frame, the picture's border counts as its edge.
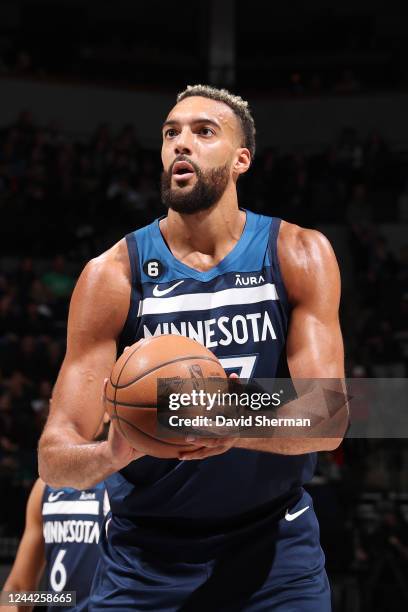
(307, 261)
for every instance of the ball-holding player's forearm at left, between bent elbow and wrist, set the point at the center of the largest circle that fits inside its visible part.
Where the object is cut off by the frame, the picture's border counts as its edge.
(67, 459)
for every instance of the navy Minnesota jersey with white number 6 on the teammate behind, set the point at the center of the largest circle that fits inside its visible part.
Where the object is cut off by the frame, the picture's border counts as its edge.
(72, 521)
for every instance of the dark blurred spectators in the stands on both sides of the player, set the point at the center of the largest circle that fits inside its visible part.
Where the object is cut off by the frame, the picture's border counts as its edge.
(76, 197)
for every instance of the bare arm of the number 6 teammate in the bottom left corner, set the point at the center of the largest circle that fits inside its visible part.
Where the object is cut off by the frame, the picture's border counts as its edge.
(30, 560)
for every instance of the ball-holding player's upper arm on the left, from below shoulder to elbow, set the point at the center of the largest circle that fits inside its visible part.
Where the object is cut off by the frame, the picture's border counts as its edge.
(97, 314)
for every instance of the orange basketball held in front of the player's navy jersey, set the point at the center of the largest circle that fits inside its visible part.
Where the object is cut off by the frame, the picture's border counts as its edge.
(131, 392)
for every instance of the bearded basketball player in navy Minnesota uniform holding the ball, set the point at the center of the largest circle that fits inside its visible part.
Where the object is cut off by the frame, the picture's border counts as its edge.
(227, 526)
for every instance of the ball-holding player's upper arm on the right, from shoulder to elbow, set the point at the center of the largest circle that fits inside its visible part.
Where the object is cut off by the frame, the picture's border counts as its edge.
(315, 347)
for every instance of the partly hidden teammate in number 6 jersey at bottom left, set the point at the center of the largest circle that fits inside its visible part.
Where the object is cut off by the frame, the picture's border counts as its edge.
(61, 535)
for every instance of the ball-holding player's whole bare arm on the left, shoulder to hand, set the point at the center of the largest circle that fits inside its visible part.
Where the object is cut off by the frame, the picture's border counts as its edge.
(99, 306)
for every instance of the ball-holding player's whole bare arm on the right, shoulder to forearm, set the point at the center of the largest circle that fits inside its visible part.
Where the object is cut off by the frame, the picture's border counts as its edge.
(314, 342)
